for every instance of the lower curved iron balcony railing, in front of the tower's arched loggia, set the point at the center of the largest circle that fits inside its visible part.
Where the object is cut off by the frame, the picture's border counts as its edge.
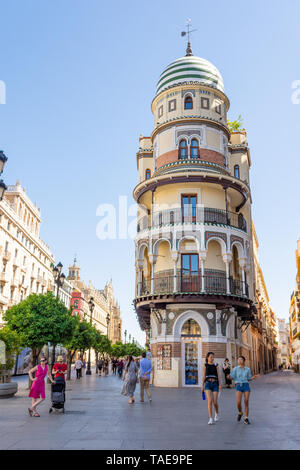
(194, 283)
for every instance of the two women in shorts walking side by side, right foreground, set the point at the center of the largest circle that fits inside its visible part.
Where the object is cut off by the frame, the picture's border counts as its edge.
(211, 381)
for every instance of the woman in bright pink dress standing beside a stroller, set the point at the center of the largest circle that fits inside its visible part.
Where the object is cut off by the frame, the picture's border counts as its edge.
(37, 391)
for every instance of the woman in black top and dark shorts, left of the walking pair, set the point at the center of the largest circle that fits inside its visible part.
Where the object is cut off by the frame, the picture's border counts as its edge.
(211, 385)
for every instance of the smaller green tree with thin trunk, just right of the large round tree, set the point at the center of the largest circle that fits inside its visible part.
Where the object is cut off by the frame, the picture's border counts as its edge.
(82, 339)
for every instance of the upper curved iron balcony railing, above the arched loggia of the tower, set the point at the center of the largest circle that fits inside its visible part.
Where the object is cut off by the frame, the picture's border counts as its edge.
(193, 215)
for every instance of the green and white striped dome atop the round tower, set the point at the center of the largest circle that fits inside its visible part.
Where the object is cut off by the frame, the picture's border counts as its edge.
(190, 69)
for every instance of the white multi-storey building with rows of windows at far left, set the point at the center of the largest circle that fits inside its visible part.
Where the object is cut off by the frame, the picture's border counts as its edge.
(25, 260)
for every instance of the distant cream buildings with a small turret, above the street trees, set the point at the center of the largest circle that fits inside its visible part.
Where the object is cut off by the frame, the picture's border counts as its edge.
(106, 316)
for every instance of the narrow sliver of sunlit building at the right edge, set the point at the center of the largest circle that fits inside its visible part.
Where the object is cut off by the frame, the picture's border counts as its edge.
(295, 316)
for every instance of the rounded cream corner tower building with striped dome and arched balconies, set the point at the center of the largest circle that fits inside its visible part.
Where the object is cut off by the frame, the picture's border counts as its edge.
(194, 268)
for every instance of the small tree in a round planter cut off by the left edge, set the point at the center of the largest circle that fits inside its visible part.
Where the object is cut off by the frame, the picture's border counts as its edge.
(9, 347)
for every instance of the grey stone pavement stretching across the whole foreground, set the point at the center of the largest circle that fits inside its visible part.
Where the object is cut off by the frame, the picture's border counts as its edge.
(99, 417)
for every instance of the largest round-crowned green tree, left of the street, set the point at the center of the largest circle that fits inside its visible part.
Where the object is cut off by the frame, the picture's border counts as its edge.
(40, 319)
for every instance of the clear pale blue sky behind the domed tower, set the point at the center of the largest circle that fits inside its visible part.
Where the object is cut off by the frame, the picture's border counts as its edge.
(80, 78)
